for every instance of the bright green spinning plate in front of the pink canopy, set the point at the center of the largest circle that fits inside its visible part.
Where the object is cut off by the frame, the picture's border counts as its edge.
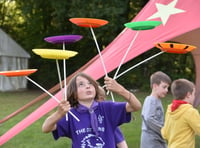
(142, 25)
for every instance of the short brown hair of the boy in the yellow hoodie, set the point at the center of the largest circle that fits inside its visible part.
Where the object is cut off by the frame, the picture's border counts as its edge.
(181, 87)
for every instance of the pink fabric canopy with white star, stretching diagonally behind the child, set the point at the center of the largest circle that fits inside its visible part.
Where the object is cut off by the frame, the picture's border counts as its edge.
(178, 18)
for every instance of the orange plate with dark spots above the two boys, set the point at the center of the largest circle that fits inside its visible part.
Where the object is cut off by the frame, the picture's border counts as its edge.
(175, 47)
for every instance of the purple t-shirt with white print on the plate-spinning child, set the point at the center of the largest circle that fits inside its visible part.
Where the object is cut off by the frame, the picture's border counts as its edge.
(109, 115)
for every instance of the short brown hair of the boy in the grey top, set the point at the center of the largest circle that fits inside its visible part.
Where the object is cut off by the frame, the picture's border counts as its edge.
(158, 77)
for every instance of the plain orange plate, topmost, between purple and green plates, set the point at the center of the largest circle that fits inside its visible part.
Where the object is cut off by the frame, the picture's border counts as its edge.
(88, 22)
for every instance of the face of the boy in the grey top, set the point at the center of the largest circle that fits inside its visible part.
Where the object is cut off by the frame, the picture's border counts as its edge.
(161, 90)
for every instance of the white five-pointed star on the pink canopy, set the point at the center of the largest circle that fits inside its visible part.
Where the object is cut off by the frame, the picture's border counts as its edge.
(164, 11)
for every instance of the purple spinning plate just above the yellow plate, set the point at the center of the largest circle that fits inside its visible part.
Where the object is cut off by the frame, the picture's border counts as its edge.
(68, 39)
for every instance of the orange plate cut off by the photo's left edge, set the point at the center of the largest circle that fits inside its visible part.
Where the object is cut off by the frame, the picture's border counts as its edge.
(15, 73)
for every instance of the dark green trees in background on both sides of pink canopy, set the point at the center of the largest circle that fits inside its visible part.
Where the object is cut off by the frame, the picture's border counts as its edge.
(29, 22)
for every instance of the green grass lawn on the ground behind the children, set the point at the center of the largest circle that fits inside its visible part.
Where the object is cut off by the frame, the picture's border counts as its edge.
(32, 137)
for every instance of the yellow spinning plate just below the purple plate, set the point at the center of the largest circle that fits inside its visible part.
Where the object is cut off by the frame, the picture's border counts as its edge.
(55, 53)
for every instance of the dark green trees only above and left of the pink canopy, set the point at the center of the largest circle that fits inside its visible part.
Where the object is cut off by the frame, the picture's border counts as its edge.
(31, 21)
